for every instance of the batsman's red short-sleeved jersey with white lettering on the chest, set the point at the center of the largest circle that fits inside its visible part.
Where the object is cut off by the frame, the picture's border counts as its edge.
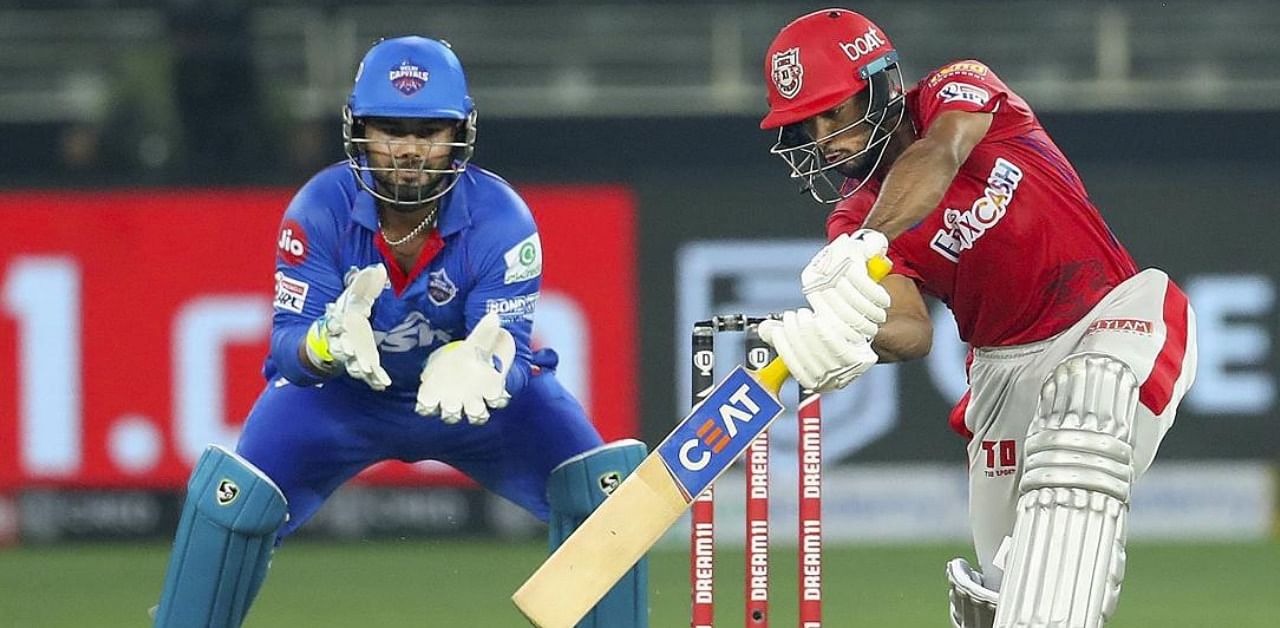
(1016, 249)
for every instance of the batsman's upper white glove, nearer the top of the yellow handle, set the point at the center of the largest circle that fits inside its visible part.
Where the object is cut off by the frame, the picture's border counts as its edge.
(838, 285)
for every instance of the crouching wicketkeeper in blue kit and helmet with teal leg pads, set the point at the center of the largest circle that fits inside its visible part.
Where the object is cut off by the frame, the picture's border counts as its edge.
(406, 282)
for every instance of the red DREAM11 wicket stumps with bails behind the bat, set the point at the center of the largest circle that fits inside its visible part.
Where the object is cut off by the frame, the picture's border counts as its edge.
(702, 572)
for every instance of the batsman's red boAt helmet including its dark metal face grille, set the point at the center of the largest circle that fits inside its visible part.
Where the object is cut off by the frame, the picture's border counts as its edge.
(816, 63)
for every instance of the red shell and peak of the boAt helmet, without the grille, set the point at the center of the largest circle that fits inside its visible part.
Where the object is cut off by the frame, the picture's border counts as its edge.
(820, 61)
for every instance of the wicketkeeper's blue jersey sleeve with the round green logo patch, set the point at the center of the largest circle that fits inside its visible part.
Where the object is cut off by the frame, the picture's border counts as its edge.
(509, 276)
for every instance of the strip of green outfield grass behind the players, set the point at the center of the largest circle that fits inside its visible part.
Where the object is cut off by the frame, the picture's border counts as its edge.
(420, 584)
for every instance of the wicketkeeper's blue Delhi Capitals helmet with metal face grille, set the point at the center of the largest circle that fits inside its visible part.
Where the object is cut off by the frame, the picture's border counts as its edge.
(409, 79)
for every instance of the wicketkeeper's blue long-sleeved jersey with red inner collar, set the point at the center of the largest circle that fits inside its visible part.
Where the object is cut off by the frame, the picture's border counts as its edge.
(483, 256)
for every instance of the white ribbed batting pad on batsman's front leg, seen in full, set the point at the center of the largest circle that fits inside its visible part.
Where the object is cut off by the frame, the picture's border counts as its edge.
(1067, 557)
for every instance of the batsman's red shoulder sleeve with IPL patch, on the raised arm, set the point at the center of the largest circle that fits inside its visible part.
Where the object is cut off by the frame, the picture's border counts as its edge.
(962, 86)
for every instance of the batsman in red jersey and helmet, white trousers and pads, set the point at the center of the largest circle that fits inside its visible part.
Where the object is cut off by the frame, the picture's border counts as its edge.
(1078, 359)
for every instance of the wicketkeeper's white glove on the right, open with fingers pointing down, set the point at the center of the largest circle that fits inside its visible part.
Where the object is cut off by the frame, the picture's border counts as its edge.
(461, 378)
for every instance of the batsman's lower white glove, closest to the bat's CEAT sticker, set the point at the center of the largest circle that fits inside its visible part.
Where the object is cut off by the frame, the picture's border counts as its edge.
(816, 350)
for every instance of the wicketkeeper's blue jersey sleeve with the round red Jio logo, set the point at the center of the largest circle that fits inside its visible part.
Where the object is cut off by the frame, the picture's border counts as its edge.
(308, 277)
